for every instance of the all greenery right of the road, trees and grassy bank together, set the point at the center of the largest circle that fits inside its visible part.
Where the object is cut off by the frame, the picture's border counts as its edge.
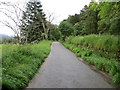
(93, 35)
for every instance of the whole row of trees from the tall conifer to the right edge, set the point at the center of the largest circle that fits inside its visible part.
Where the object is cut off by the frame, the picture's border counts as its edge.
(96, 18)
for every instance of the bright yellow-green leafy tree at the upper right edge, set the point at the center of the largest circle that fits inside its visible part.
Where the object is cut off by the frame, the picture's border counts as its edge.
(109, 17)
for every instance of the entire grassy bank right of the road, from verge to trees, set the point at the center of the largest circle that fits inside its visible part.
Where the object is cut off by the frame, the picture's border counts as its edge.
(101, 51)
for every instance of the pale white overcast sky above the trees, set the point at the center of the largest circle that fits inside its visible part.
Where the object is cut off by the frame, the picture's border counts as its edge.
(60, 10)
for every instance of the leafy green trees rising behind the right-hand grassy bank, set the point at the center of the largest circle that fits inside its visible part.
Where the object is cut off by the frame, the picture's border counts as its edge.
(96, 18)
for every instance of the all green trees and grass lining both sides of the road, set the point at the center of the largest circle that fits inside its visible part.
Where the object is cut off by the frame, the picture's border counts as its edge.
(93, 35)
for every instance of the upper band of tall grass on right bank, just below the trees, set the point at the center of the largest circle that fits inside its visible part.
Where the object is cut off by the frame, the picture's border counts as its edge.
(99, 42)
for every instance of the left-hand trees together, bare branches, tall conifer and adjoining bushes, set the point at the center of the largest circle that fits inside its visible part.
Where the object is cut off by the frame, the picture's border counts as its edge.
(32, 25)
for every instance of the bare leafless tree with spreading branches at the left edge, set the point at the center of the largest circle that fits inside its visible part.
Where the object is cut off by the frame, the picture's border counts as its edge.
(13, 17)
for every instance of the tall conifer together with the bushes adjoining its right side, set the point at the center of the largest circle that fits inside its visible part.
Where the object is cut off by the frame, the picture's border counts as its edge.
(35, 27)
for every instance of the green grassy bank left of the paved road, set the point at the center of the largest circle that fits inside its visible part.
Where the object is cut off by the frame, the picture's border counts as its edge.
(21, 62)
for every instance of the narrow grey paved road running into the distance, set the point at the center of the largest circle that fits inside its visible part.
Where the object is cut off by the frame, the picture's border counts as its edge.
(62, 69)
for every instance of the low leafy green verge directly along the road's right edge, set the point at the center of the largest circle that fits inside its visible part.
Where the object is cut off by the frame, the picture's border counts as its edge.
(109, 65)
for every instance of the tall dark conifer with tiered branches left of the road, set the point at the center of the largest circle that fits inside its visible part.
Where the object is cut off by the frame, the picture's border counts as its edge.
(34, 22)
